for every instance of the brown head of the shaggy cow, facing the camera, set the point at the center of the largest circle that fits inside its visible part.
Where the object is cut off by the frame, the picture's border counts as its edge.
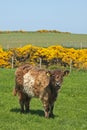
(56, 78)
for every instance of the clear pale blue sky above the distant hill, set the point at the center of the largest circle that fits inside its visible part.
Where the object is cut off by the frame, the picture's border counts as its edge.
(32, 15)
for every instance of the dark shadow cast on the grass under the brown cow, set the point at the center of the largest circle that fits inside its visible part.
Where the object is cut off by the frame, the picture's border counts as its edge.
(33, 112)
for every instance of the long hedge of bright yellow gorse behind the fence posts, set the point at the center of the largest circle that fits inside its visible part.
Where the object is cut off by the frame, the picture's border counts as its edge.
(31, 54)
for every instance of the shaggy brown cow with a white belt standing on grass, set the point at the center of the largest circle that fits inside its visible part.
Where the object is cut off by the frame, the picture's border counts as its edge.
(31, 81)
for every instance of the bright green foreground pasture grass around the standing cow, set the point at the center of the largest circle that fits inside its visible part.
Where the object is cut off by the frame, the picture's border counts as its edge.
(70, 108)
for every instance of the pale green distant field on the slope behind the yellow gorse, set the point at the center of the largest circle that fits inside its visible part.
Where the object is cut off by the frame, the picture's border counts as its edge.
(13, 39)
